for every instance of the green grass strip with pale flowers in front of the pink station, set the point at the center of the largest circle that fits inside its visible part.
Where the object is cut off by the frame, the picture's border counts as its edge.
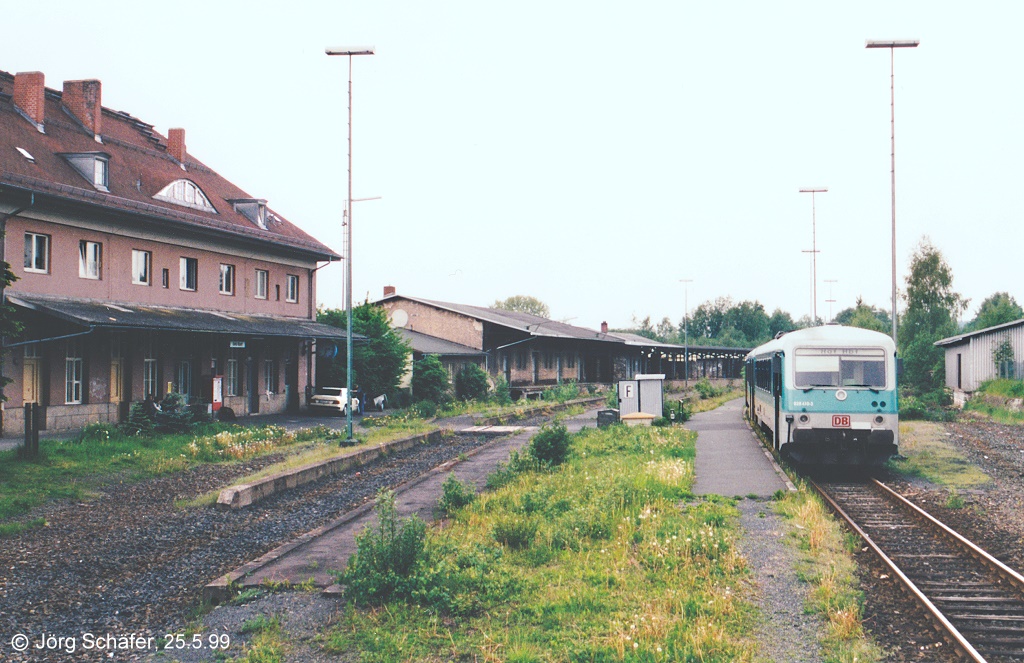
(75, 469)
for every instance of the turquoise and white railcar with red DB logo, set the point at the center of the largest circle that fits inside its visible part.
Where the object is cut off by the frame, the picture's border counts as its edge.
(827, 396)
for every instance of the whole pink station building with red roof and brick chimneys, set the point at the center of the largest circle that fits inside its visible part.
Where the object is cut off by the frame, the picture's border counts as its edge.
(141, 271)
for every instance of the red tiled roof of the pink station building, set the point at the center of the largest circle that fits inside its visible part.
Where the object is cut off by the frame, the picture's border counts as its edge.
(140, 169)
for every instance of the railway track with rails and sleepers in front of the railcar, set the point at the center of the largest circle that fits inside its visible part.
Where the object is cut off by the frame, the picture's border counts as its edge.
(973, 599)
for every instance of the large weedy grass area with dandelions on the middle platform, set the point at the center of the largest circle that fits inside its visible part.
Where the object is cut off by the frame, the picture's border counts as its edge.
(604, 559)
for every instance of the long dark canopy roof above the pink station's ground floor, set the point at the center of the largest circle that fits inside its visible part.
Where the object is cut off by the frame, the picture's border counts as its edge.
(131, 316)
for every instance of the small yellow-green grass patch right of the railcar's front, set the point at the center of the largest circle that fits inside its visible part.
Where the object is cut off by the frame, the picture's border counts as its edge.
(929, 455)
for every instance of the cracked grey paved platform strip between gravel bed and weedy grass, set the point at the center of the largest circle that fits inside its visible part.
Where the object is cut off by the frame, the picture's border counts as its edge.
(336, 543)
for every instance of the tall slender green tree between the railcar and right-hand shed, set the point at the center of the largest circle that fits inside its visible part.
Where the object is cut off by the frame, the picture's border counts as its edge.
(932, 310)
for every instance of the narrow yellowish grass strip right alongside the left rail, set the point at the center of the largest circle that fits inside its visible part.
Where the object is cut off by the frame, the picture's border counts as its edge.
(827, 565)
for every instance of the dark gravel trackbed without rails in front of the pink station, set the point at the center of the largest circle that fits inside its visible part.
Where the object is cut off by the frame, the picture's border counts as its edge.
(130, 562)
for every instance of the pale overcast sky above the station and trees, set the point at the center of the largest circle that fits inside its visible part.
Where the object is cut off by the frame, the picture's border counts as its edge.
(593, 155)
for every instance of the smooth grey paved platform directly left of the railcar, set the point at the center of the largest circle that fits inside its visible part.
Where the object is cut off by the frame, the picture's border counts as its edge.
(732, 462)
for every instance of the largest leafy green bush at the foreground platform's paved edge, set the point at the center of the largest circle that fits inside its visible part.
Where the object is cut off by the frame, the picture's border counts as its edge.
(387, 557)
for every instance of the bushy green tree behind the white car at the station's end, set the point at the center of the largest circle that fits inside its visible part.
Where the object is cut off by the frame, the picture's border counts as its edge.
(378, 364)
